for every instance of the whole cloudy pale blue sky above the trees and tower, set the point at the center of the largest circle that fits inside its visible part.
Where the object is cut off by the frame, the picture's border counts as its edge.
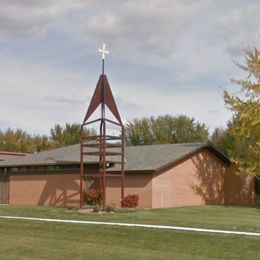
(166, 57)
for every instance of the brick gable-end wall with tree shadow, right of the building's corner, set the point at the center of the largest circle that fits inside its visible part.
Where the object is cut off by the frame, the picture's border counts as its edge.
(202, 179)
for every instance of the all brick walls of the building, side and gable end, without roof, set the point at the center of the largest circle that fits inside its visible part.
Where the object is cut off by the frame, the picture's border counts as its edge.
(201, 179)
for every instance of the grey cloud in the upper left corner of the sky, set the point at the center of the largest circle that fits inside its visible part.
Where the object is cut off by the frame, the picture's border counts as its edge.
(30, 17)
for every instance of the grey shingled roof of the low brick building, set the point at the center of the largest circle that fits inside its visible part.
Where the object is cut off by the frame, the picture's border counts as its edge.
(138, 158)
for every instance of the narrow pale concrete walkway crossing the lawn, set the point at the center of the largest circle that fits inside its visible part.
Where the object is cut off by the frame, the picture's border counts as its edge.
(135, 225)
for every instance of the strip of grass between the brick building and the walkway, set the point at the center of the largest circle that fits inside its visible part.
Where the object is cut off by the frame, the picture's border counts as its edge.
(219, 217)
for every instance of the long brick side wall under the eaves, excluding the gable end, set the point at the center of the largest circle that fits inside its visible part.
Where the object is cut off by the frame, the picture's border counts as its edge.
(63, 189)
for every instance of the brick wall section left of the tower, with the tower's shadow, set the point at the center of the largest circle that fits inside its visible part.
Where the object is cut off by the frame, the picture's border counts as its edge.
(44, 189)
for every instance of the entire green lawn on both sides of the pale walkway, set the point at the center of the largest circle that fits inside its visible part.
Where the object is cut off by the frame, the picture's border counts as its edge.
(37, 240)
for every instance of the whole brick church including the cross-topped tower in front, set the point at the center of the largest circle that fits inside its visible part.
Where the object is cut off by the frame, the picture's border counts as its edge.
(168, 175)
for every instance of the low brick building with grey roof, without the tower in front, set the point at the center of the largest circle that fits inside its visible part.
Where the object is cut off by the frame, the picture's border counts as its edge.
(168, 175)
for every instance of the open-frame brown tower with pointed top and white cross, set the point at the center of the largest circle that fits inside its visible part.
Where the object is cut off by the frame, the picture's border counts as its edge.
(105, 149)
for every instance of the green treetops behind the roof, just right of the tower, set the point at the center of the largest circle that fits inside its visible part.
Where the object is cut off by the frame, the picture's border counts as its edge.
(165, 129)
